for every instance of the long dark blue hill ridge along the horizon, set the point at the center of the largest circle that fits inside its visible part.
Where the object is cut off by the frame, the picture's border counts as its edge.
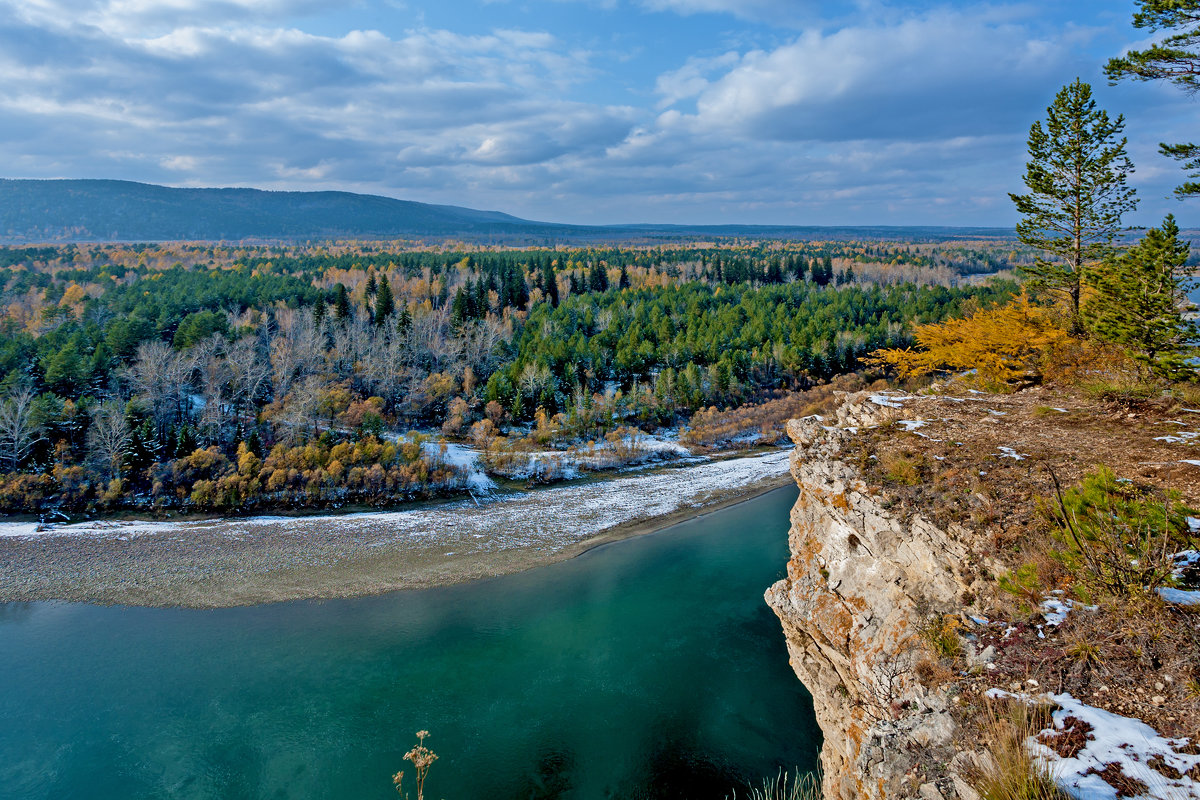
(105, 210)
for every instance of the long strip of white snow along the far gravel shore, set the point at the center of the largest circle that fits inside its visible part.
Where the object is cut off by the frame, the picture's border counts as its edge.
(550, 519)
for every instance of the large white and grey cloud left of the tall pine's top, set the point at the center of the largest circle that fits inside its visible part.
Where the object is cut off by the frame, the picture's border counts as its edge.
(945, 74)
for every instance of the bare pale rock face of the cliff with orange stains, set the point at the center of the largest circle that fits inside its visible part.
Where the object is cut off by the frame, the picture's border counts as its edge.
(862, 585)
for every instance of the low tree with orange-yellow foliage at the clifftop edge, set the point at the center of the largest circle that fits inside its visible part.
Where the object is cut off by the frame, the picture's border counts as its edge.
(1005, 345)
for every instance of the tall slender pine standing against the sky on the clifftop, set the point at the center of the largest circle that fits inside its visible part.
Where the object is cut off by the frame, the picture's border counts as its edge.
(1078, 193)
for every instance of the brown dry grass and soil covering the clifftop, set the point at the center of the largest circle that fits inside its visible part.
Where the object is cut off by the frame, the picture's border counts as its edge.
(1132, 651)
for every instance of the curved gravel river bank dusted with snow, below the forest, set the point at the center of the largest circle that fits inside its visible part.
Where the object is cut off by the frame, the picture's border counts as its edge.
(223, 563)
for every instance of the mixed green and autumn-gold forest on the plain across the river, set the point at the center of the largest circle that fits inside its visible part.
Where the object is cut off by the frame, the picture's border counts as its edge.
(193, 377)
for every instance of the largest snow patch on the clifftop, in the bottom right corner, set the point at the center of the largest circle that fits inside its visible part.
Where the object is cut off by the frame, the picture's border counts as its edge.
(1131, 744)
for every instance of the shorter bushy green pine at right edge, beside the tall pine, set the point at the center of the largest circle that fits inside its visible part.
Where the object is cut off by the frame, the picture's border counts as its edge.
(1138, 303)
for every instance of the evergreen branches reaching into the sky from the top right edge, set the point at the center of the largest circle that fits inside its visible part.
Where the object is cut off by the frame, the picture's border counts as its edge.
(1175, 59)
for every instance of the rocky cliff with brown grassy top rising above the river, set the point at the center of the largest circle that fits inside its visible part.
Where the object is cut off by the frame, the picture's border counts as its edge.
(901, 532)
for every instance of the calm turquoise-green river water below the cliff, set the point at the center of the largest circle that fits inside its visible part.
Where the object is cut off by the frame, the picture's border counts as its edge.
(647, 669)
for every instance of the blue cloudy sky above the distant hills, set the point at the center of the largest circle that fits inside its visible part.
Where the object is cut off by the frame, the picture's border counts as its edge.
(753, 112)
